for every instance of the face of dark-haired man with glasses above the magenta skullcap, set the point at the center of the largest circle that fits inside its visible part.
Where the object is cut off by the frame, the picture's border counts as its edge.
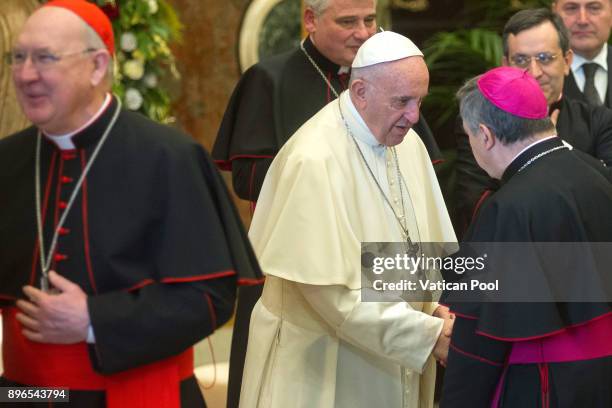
(540, 41)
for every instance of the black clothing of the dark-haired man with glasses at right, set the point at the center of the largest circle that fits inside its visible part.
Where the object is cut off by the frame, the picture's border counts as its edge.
(586, 128)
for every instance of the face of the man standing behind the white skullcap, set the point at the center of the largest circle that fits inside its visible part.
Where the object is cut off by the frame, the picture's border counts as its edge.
(341, 28)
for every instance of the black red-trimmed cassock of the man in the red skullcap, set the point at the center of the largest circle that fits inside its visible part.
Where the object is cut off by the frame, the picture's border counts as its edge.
(152, 238)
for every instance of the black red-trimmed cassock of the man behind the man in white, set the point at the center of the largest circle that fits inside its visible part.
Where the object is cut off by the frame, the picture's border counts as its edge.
(271, 101)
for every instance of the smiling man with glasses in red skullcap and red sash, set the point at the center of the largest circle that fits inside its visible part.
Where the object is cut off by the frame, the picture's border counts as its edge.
(119, 245)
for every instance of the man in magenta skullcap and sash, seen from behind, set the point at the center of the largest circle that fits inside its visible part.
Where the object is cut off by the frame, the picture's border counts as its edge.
(538, 354)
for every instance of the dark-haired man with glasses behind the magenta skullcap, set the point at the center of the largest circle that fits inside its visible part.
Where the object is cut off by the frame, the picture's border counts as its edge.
(537, 41)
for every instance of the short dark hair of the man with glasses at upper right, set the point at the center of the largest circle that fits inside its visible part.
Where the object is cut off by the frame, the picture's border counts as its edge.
(526, 19)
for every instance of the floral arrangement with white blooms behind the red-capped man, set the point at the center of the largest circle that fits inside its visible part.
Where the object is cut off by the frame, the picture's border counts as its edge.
(143, 30)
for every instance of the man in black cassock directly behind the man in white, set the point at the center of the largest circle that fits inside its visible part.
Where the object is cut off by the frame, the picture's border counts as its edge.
(276, 96)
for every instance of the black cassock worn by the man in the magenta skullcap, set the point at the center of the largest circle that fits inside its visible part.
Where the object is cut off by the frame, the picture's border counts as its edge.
(562, 196)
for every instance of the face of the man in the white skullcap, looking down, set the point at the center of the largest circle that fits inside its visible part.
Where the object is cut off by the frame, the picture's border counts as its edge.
(394, 100)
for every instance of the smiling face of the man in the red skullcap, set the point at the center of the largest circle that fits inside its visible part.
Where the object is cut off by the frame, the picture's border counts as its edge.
(53, 79)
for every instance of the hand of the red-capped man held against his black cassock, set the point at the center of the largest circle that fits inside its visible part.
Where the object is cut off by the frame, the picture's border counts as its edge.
(54, 318)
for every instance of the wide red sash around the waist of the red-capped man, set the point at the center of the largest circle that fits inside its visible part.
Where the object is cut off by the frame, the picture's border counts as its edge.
(68, 366)
